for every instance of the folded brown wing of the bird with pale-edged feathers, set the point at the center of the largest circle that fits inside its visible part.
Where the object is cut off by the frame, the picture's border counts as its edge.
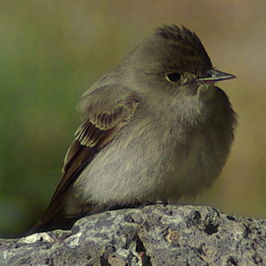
(107, 110)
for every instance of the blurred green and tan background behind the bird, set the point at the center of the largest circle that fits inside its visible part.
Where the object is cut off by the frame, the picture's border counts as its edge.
(51, 51)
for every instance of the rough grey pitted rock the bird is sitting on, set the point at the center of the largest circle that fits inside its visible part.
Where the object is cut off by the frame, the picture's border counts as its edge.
(152, 235)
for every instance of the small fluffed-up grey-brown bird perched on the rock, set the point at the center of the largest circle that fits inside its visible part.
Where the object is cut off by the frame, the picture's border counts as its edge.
(156, 128)
